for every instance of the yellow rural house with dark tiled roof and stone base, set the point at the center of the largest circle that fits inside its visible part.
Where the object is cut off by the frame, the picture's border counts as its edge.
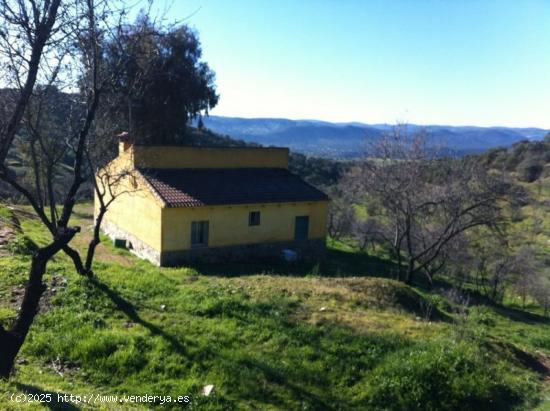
(186, 203)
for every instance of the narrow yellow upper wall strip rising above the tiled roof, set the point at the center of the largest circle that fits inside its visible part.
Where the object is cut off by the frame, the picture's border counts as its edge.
(208, 157)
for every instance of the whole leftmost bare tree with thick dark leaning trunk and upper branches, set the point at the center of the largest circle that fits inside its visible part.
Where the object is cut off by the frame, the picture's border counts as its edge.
(44, 44)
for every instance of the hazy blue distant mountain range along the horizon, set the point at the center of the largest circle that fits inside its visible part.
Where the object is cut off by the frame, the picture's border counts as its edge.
(349, 140)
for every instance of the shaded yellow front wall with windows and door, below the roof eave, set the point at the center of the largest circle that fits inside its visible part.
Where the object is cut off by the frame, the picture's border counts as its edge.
(228, 225)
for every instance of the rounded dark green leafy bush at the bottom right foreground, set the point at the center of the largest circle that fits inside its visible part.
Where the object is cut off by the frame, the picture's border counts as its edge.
(444, 375)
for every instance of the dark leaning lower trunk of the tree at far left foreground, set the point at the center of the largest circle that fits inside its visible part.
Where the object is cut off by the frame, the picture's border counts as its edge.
(11, 340)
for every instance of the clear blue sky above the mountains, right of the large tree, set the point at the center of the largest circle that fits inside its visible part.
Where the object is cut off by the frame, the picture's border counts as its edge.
(458, 62)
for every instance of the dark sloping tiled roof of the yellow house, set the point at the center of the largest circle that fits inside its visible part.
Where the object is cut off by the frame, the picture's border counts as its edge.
(203, 187)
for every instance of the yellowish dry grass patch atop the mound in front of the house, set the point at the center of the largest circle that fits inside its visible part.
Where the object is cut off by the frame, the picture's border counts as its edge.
(364, 304)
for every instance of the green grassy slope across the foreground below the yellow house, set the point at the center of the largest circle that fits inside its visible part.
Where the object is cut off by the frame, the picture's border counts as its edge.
(341, 335)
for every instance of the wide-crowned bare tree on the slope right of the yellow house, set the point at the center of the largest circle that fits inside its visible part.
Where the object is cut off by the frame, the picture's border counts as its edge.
(425, 200)
